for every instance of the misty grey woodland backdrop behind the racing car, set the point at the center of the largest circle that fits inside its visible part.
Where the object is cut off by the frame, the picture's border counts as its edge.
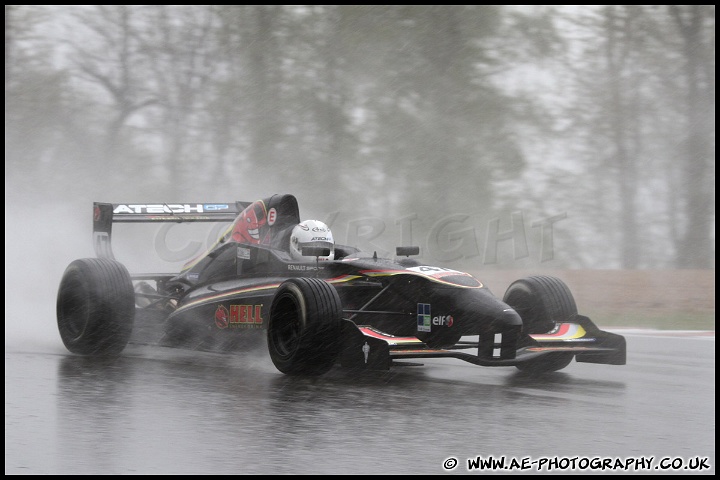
(494, 137)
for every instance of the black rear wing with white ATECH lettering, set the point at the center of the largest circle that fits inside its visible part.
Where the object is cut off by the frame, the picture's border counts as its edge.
(106, 214)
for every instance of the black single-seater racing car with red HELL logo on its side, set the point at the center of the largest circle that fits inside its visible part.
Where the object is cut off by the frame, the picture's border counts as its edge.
(357, 310)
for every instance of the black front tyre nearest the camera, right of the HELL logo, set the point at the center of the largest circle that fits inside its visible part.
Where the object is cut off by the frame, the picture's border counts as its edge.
(303, 332)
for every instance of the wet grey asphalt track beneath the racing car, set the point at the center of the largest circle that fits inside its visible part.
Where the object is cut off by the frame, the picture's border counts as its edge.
(163, 411)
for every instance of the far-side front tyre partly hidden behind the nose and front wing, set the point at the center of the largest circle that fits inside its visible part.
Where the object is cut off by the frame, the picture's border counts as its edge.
(542, 301)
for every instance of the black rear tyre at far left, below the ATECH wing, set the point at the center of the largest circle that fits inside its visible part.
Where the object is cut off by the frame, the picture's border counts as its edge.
(95, 307)
